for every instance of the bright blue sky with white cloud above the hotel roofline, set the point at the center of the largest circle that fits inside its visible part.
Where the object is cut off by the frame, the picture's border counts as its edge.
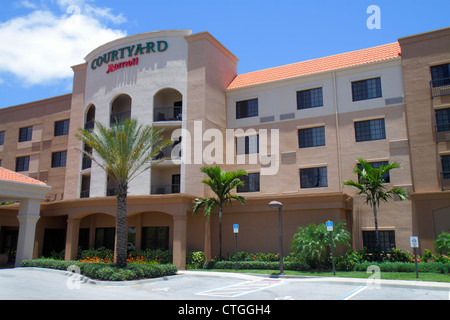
(41, 39)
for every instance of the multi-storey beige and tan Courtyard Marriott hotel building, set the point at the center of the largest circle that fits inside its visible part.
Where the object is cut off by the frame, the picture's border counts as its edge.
(297, 130)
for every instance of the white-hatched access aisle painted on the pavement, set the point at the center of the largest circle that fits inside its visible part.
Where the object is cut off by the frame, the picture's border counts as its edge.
(241, 289)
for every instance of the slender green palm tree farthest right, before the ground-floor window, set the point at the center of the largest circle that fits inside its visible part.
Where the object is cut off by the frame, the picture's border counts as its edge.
(372, 185)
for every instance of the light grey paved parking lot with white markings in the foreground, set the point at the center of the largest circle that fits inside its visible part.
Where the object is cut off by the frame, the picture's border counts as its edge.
(44, 284)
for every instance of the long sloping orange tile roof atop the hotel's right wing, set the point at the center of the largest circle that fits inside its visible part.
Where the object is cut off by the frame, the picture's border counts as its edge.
(335, 62)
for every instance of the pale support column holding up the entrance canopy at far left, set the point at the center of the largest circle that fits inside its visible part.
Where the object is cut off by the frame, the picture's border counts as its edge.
(29, 213)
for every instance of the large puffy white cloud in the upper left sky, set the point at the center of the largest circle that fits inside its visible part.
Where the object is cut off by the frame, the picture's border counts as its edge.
(41, 47)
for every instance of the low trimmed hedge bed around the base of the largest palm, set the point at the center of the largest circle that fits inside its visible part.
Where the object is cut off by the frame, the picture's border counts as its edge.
(109, 272)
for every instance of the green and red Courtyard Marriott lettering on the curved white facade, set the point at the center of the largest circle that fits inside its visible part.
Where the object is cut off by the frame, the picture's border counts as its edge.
(127, 52)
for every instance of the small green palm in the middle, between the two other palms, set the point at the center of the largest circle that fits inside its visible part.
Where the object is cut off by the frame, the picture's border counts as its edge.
(221, 183)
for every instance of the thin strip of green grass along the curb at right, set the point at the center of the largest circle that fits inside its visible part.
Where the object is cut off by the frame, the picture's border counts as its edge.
(423, 276)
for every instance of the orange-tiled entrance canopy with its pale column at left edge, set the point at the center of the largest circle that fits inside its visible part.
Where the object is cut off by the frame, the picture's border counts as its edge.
(30, 192)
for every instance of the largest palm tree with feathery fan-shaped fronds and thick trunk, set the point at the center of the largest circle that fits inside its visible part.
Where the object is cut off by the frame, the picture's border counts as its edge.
(124, 151)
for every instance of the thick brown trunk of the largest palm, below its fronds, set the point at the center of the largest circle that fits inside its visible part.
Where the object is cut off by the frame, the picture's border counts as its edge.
(121, 230)
